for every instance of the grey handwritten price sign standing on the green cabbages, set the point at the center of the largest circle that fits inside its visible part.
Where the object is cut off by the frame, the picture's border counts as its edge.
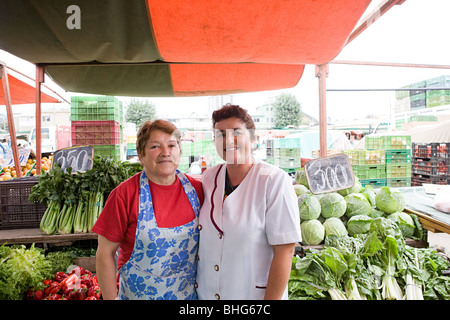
(329, 174)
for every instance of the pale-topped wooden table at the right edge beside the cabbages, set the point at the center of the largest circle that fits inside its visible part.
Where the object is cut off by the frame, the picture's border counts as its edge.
(421, 204)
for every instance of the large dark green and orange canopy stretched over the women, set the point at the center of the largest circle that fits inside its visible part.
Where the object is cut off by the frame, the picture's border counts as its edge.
(176, 48)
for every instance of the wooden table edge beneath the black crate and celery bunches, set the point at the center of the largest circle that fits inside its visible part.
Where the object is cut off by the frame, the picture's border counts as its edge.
(28, 236)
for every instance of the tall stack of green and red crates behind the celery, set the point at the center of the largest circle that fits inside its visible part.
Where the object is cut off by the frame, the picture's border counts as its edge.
(97, 121)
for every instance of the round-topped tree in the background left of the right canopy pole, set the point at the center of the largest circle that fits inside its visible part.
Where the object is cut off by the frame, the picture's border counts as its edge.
(287, 111)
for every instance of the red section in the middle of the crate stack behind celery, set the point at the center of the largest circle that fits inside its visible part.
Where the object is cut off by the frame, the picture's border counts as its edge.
(95, 132)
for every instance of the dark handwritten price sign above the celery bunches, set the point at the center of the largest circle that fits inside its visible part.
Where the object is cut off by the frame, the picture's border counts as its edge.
(80, 159)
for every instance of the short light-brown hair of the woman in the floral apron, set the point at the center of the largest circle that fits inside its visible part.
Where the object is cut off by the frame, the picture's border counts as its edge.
(148, 127)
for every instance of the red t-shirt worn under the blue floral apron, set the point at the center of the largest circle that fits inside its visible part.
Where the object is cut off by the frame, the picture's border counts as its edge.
(118, 220)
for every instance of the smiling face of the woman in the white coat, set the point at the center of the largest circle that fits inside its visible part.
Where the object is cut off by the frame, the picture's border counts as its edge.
(233, 141)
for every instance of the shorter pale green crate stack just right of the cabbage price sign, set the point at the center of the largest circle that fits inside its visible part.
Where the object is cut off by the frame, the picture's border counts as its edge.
(369, 166)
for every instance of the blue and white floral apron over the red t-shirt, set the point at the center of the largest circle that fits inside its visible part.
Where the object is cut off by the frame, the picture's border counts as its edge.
(163, 264)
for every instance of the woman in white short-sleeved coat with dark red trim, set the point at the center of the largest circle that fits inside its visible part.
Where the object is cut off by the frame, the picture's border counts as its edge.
(249, 222)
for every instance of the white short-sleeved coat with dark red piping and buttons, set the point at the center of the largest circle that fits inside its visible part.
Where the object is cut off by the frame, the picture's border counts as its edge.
(237, 234)
